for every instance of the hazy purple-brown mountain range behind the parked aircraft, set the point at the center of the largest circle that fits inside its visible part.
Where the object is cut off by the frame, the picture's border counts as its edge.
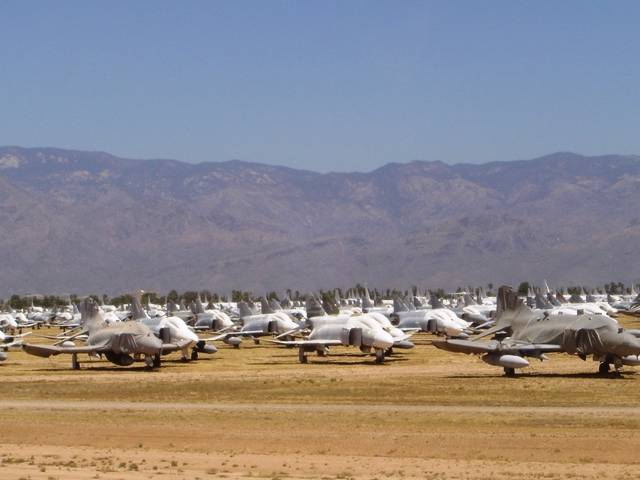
(82, 222)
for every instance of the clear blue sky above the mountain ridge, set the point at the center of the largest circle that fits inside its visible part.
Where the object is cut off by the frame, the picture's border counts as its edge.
(323, 85)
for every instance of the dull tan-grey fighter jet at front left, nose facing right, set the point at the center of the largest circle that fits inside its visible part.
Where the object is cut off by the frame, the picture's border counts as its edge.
(119, 342)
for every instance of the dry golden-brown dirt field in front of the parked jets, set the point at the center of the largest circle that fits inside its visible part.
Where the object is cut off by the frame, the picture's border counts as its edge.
(256, 413)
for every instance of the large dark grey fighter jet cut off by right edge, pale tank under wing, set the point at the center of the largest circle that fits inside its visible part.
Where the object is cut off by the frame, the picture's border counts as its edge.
(521, 333)
